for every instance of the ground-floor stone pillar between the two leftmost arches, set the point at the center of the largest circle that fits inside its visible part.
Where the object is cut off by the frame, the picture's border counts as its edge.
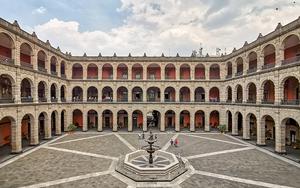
(16, 140)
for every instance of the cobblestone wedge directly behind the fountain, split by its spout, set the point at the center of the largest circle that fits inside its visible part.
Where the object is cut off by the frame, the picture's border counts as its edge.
(133, 139)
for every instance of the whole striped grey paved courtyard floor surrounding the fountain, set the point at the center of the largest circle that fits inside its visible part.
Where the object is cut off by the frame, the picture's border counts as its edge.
(88, 160)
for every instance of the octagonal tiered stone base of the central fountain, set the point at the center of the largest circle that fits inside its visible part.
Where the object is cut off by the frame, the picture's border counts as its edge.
(166, 166)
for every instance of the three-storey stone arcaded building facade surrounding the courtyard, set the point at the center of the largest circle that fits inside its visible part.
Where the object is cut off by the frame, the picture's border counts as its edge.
(254, 90)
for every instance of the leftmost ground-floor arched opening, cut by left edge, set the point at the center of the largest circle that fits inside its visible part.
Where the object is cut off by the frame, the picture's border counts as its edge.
(6, 124)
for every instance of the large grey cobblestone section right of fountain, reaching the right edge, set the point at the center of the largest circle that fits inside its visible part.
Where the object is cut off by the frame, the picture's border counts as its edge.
(251, 164)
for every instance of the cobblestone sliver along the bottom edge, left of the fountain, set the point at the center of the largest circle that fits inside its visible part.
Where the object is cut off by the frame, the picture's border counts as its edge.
(99, 182)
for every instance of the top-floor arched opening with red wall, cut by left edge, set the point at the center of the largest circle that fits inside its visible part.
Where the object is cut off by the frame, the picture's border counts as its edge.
(6, 48)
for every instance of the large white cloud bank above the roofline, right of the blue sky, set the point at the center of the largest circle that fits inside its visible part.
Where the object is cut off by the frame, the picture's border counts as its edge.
(156, 26)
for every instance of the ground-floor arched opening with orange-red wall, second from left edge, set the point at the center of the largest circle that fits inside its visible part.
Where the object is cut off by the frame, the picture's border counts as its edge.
(26, 126)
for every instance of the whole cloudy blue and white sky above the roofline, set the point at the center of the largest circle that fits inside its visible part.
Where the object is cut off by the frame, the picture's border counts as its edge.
(149, 26)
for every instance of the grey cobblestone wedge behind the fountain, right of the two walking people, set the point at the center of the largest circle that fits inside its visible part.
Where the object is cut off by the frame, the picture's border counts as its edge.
(192, 146)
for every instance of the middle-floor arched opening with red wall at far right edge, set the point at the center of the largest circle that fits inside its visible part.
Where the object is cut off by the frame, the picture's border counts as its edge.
(291, 91)
